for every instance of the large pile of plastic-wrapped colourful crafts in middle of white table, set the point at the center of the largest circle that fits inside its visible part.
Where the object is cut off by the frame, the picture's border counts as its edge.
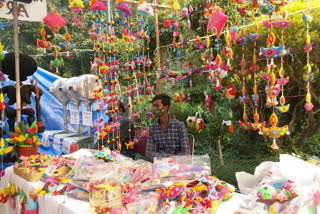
(123, 185)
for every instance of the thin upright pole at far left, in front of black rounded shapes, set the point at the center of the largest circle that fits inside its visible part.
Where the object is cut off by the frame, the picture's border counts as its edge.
(17, 63)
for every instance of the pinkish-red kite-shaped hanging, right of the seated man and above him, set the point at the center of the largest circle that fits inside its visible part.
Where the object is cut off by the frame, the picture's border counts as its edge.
(217, 21)
